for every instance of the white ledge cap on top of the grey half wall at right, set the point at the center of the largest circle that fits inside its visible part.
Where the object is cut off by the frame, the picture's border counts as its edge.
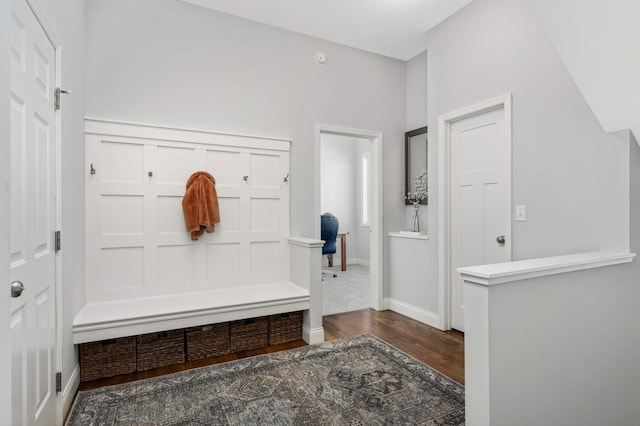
(499, 273)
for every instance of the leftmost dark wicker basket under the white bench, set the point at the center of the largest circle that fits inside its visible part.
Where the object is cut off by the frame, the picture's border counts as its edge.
(107, 358)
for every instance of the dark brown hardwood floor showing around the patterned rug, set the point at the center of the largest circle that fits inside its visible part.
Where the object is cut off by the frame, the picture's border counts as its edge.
(444, 351)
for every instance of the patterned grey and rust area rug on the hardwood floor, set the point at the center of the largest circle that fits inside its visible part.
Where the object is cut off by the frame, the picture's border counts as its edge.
(355, 381)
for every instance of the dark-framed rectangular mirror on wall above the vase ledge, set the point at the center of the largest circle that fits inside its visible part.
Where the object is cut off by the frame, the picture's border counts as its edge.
(415, 161)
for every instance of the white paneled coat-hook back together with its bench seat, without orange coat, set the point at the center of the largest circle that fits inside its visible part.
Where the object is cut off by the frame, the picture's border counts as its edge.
(141, 261)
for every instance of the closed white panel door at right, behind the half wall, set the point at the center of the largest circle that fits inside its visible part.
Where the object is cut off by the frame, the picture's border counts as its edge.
(480, 201)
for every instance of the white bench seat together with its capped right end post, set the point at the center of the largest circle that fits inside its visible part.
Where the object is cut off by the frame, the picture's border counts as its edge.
(131, 317)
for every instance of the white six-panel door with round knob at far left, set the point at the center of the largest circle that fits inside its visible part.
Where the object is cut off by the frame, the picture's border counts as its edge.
(33, 186)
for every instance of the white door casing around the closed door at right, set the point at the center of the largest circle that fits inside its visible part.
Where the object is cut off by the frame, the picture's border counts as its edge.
(445, 213)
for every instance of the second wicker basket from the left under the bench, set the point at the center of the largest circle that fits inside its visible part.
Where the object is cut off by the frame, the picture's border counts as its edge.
(160, 349)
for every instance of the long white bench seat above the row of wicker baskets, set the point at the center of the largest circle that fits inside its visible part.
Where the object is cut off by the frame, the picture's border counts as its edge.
(131, 317)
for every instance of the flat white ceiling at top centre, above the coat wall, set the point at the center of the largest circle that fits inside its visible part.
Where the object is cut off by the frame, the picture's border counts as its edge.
(394, 28)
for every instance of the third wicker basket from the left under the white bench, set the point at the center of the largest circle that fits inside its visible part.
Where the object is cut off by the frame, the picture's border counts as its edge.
(207, 341)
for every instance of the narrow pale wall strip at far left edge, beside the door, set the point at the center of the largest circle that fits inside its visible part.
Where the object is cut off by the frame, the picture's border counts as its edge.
(5, 228)
